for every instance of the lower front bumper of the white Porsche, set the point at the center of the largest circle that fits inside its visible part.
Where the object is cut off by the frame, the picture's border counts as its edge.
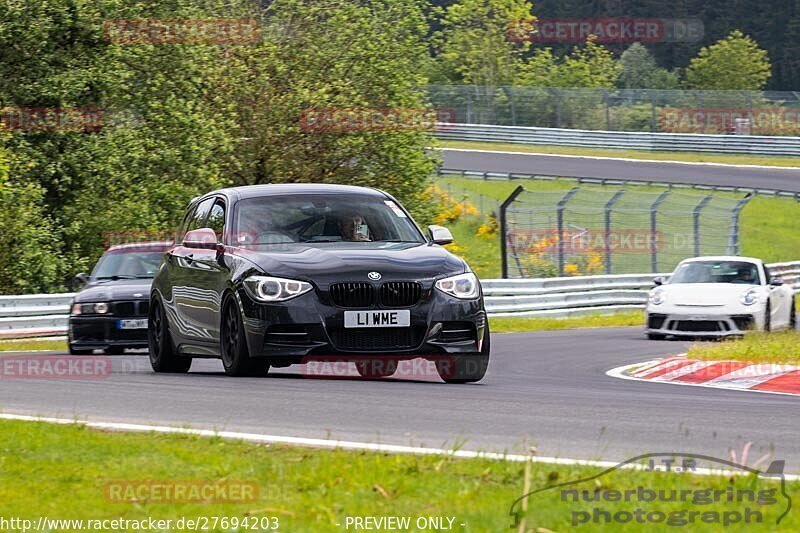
(701, 325)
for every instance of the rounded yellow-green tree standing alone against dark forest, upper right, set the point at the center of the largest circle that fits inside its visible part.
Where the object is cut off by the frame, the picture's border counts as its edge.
(733, 63)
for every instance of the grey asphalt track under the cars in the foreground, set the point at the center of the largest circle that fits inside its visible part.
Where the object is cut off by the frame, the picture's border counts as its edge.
(547, 389)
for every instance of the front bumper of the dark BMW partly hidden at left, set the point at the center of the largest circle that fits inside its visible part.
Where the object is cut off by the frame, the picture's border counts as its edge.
(100, 332)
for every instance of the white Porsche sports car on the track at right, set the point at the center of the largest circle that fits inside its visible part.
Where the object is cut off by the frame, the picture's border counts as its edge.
(717, 297)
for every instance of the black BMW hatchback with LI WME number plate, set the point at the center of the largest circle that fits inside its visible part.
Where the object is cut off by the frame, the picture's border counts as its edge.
(275, 275)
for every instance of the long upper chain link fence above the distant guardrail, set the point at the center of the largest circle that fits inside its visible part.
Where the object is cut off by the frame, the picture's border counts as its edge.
(650, 110)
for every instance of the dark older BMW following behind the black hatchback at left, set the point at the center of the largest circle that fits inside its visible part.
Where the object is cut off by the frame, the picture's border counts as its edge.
(110, 312)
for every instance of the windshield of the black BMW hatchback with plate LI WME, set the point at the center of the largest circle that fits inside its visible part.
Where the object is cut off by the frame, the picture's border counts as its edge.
(283, 219)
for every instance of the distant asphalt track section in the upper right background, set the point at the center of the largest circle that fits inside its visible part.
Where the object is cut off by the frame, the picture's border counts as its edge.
(764, 178)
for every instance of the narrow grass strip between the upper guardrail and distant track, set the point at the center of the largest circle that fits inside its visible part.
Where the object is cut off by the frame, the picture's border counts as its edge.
(692, 157)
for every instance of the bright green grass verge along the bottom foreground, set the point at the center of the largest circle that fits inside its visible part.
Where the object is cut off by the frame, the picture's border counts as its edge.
(63, 472)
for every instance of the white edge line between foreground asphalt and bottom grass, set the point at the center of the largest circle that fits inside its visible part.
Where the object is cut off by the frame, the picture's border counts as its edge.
(350, 445)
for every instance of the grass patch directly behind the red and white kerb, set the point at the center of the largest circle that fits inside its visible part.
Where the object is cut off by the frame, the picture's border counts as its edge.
(757, 347)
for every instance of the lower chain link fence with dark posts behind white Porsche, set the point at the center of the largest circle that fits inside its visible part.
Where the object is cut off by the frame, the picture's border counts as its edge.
(591, 231)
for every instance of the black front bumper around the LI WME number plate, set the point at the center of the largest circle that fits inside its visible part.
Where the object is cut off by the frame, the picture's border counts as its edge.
(309, 325)
